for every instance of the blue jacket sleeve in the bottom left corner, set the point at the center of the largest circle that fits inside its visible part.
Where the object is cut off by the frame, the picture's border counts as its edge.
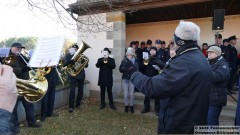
(6, 125)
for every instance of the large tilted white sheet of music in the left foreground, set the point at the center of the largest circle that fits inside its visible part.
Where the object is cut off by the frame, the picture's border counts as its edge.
(47, 52)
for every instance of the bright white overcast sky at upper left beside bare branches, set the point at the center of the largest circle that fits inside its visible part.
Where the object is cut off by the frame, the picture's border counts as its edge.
(18, 21)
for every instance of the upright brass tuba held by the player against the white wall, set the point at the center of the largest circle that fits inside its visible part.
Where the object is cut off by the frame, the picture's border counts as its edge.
(80, 60)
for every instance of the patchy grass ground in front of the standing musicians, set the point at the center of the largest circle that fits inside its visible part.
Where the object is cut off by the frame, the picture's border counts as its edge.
(89, 120)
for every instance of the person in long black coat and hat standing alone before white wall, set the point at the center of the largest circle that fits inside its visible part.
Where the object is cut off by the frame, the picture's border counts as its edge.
(105, 80)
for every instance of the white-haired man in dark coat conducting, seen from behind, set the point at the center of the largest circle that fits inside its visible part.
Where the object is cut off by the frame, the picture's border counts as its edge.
(183, 86)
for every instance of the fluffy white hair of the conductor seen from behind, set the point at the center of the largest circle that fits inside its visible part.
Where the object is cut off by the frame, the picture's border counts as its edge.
(188, 31)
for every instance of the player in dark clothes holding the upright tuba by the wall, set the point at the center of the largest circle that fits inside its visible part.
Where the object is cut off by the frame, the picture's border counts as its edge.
(77, 80)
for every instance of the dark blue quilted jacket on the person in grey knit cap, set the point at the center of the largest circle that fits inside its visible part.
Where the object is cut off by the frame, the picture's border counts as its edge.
(220, 76)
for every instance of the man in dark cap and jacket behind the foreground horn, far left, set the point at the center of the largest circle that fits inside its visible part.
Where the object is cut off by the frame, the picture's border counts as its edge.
(21, 70)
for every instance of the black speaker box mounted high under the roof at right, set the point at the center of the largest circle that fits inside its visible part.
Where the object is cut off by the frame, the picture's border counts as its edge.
(218, 19)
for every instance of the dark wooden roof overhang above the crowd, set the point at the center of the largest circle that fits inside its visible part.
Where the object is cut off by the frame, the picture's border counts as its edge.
(142, 11)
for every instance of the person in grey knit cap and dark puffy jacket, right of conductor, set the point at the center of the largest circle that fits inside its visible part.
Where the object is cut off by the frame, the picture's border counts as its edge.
(218, 89)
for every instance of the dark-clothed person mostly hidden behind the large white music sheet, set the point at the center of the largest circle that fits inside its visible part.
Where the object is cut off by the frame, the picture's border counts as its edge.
(49, 98)
